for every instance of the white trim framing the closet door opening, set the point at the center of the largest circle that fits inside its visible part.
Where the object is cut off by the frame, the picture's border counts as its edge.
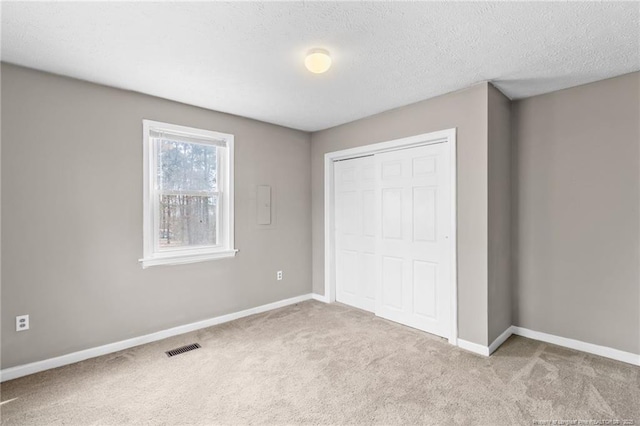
(444, 136)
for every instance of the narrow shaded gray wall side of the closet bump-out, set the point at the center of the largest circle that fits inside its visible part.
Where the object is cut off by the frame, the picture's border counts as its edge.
(500, 280)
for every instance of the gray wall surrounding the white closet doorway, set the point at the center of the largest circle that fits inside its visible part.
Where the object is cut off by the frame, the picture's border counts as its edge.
(466, 110)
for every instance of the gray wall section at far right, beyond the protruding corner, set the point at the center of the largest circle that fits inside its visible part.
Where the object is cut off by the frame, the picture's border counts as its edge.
(578, 211)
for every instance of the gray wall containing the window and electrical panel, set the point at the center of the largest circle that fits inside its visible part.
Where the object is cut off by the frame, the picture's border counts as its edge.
(72, 218)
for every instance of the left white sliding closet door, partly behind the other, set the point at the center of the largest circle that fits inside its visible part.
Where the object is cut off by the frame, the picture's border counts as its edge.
(355, 237)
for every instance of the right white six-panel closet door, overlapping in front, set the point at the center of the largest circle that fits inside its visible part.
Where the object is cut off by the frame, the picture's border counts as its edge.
(413, 243)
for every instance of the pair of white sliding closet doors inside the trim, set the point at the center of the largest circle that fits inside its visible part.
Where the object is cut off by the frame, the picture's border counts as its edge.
(392, 246)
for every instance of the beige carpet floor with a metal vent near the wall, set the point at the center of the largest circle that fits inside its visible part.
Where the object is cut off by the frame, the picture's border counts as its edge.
(313, 363)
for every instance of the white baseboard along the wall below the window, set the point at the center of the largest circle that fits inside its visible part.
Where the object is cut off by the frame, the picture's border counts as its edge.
(35, 367)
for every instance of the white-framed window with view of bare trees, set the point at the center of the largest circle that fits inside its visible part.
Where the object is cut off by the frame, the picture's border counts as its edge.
(188, 194)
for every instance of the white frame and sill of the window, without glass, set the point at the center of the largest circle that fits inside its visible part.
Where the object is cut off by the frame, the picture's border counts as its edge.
(224, 248)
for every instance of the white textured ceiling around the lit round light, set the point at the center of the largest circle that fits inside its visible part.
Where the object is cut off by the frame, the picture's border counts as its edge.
(247, 58)
